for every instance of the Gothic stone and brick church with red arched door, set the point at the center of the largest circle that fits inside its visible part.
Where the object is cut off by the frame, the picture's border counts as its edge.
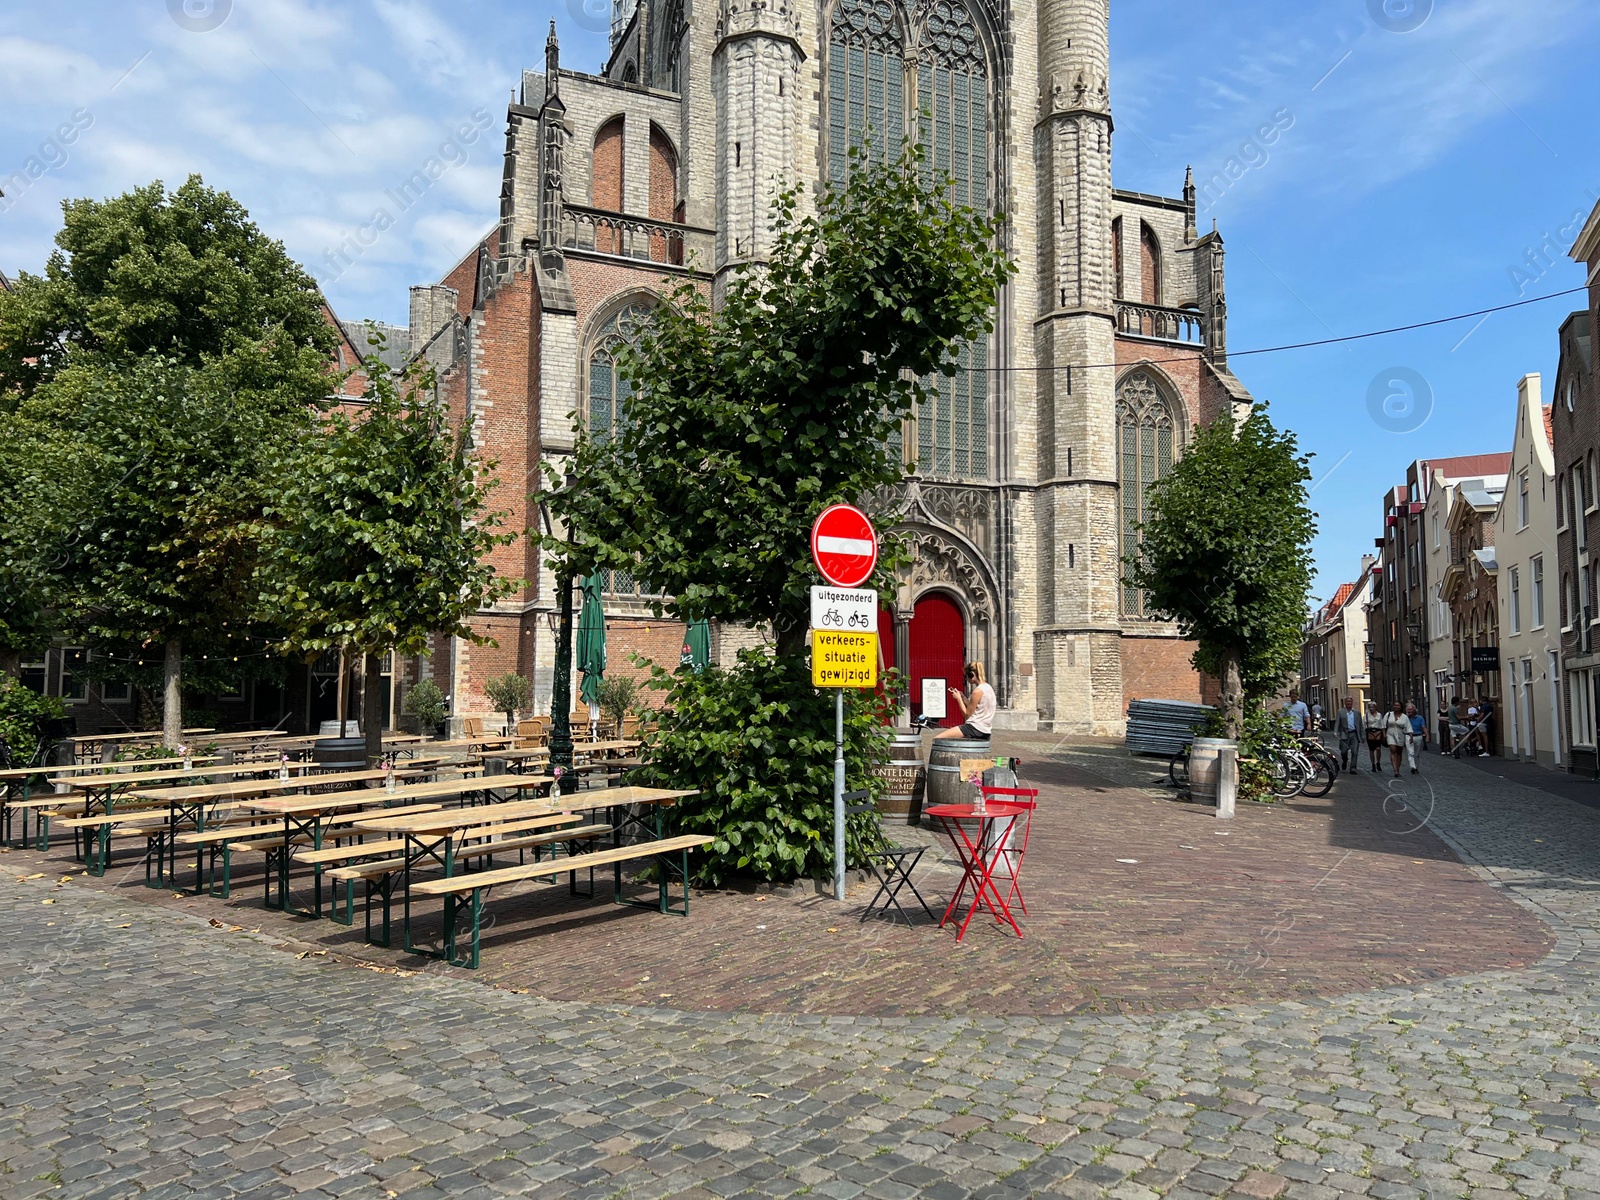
(1031, 465)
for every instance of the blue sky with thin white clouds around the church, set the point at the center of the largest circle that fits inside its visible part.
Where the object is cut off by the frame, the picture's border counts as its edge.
(1431, 146)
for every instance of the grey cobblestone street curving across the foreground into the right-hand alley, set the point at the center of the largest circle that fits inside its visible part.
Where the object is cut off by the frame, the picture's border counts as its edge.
(153, 1055)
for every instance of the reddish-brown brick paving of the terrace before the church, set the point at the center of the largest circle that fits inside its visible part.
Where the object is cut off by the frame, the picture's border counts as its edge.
(1135, 905)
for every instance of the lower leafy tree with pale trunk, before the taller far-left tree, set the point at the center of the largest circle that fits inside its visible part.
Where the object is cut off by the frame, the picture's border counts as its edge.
(159, 551)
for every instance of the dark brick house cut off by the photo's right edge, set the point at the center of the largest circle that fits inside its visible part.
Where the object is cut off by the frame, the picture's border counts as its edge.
(1575, 430)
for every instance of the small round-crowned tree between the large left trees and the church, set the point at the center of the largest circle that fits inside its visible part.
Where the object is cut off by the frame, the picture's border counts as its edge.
(380, 535)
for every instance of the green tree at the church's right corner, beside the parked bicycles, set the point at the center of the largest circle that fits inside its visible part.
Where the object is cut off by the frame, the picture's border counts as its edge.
(1226, 554)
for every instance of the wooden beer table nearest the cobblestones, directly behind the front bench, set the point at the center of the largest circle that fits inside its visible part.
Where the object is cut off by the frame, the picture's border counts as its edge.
(433, 838)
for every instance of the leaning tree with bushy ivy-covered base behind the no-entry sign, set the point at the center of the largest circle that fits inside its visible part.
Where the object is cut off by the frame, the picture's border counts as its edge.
(746, 420)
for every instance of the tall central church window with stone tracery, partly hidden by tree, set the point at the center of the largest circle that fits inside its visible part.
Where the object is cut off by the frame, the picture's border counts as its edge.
(943, 102)
